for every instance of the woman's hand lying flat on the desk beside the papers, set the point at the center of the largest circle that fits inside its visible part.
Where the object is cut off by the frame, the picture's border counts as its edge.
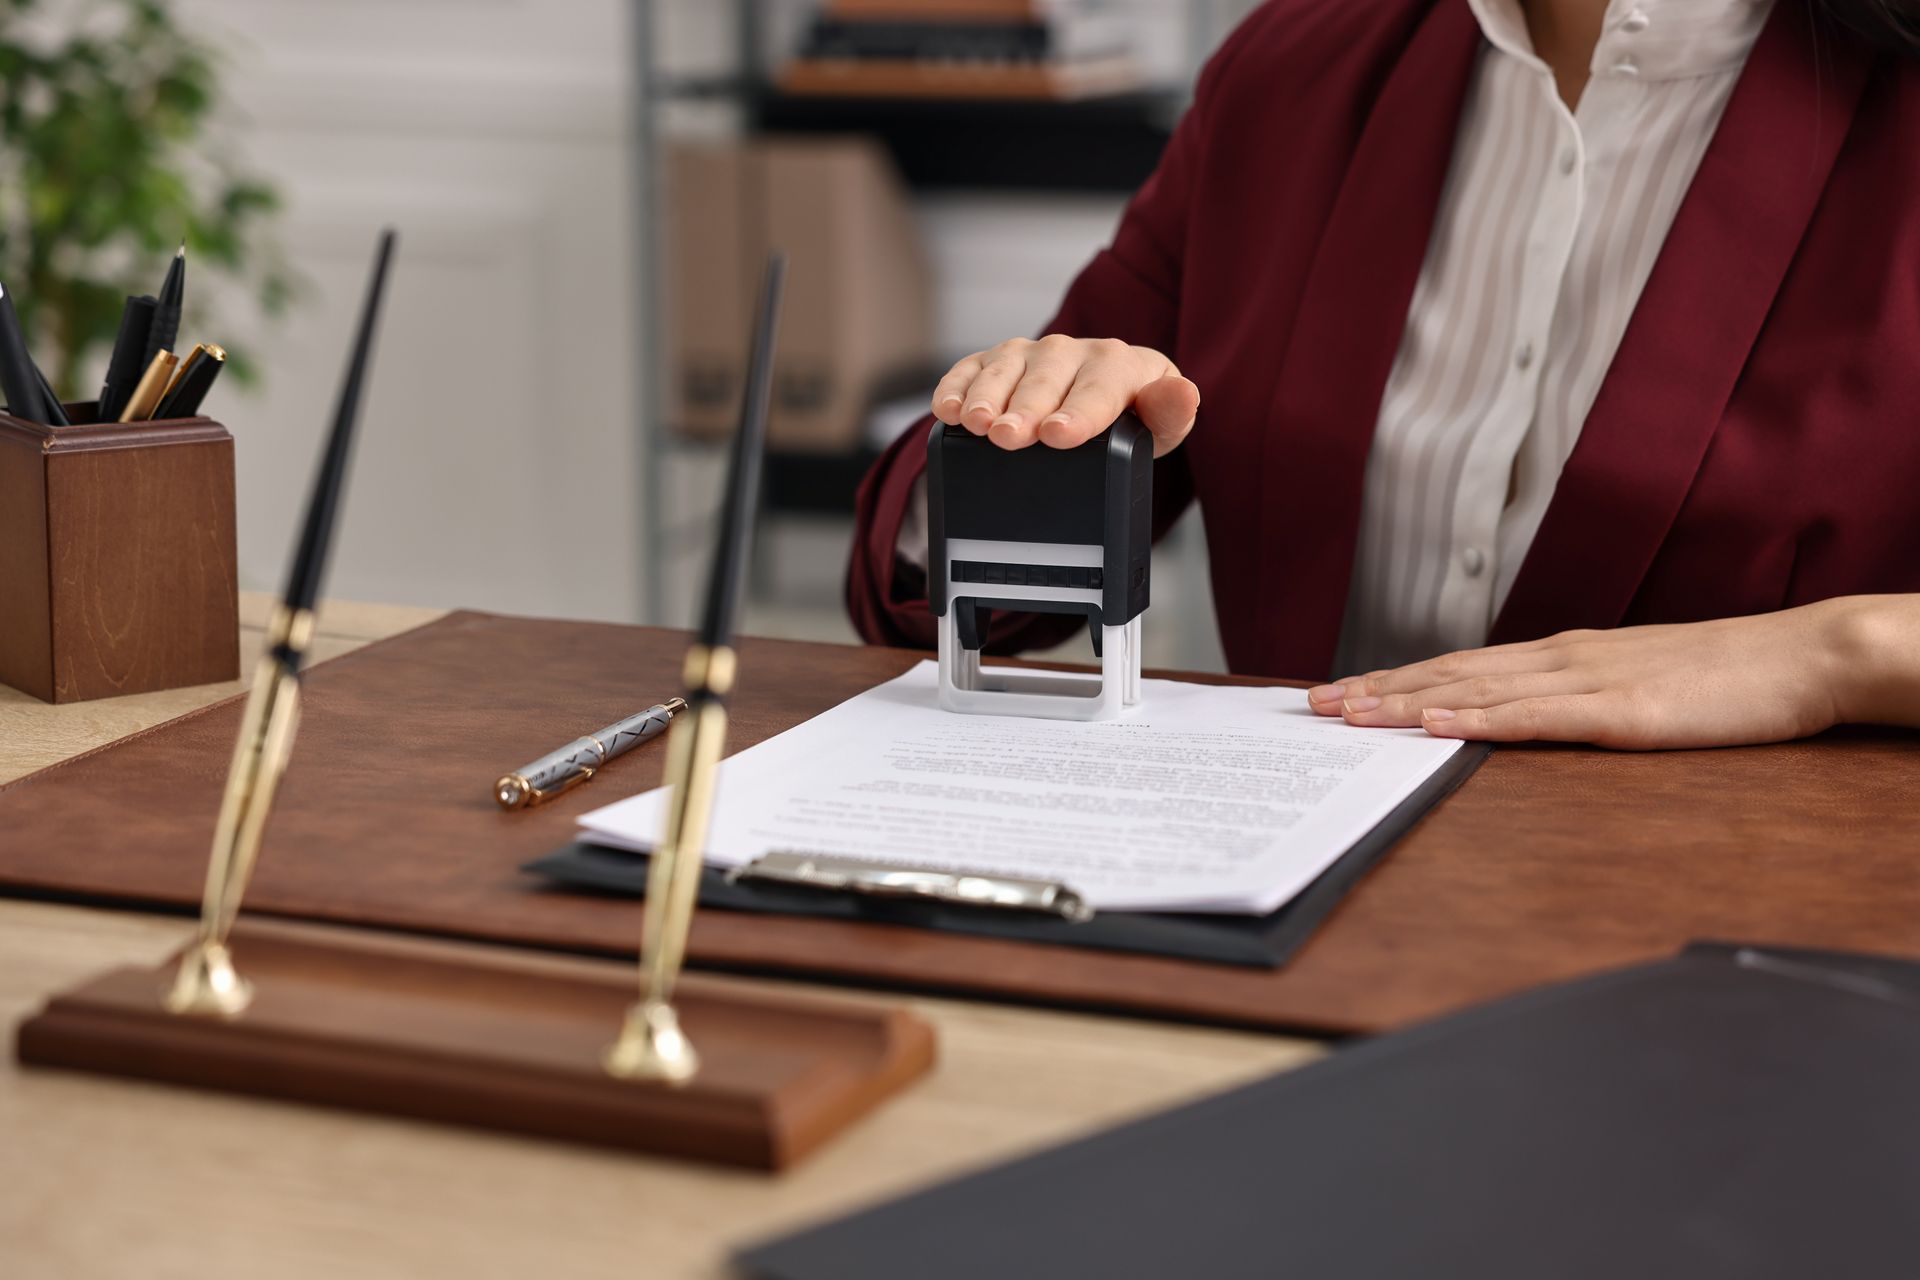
(1704, 684)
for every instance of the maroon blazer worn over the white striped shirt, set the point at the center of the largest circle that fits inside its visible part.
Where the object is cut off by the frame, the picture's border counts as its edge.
(1756, 442)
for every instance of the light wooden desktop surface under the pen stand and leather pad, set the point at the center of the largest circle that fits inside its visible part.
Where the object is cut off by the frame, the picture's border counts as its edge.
(114, 1179)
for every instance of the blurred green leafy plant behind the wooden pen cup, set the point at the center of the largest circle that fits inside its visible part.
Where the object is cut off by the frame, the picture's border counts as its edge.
(108, 124)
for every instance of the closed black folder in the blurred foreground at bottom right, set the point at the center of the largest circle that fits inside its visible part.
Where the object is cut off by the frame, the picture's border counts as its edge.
(1733, 1112)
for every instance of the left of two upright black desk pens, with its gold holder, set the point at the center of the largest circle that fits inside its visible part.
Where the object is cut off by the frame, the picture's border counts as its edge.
(208, 984)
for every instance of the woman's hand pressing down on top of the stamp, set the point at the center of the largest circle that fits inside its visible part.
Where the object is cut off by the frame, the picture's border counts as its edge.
(1067, 391)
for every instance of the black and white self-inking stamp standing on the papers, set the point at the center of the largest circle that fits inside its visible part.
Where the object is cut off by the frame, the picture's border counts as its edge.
(1042, 531)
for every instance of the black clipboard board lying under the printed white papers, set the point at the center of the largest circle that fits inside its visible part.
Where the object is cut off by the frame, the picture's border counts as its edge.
(1257, 941)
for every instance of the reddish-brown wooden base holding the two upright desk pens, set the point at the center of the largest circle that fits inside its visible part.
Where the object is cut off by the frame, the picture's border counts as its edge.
(492, 1039)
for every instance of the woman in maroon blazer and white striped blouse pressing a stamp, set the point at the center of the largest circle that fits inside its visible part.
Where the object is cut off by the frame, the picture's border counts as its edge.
(1514, 320)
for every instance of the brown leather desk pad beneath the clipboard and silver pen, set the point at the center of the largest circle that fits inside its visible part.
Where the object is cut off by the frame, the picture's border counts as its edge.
(1548, 865)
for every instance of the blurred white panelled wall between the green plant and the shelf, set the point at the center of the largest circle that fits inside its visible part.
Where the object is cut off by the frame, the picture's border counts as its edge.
(496, 462)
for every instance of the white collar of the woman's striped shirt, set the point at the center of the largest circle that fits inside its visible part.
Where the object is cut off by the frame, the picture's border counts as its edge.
(1644, 39)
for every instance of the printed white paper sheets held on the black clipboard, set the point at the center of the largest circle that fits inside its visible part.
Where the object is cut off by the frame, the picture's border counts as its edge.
(1201, 799)
